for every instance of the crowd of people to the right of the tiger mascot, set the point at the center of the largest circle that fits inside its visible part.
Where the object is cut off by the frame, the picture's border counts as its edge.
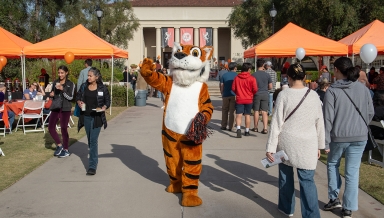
(335, 121)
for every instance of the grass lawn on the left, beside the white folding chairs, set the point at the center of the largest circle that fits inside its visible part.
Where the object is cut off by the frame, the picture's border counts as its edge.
(24, 153)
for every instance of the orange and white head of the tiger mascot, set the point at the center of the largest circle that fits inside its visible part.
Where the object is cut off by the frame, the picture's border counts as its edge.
(190, 63)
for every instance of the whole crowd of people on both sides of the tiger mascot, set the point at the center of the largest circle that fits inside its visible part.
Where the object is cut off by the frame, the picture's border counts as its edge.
(327, 125)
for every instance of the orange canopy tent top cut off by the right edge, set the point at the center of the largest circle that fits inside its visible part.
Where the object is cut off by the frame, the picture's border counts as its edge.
(371, 33)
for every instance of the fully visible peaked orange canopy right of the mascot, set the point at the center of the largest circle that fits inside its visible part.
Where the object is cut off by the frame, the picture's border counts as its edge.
(285, 42)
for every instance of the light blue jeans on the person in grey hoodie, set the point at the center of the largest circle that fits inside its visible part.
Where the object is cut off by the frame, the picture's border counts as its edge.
(353, 153)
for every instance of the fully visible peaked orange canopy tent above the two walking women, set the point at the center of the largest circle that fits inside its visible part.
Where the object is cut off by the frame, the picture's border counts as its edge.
(81, 42)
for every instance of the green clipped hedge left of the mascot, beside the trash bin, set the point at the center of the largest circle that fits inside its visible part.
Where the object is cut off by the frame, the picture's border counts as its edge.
(119, 94)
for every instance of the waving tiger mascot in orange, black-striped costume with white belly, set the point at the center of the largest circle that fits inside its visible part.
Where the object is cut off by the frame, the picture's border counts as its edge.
(186, 96)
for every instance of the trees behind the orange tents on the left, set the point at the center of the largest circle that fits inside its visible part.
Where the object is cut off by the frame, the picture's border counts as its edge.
(37, 20)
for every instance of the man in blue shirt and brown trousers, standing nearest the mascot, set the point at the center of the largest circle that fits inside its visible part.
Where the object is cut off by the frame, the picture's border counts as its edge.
(229, 100)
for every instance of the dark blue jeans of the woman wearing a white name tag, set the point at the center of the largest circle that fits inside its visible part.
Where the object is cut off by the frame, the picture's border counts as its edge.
(93, 138)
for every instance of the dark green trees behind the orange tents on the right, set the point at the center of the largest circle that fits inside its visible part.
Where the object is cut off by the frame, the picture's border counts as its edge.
(334, 19)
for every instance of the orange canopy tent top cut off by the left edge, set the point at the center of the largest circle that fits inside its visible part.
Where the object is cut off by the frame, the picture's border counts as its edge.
(11, 46)
